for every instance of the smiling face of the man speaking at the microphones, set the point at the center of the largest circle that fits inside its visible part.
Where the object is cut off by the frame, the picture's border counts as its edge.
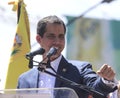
(53, 37)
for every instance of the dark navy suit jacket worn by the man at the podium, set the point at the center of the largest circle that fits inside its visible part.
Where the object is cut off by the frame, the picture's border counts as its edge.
(77, 71)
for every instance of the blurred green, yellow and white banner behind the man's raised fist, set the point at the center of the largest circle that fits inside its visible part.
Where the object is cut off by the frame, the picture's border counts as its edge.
(95, 41)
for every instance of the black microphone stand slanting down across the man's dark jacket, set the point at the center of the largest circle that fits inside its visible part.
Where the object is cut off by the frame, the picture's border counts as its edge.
(90, 90)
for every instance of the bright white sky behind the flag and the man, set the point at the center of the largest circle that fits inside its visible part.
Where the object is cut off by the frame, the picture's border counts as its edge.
(40, 8)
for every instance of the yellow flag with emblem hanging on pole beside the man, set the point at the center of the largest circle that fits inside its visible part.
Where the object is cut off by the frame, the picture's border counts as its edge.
(18, 62)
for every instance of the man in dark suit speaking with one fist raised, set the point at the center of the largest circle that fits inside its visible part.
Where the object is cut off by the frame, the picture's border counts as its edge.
(51, 33)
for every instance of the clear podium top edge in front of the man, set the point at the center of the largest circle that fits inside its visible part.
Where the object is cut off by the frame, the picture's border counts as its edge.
(38, 93)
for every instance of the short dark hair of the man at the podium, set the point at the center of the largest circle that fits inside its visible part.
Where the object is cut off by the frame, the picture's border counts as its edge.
(41, 26)
